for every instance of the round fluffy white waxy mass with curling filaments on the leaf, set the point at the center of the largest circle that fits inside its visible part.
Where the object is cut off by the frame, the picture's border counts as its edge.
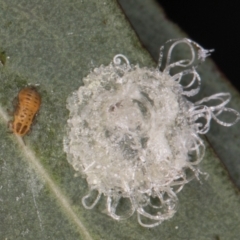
(134, 135)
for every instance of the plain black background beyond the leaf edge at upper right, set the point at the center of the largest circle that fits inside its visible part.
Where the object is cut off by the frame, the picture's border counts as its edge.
(212, 24)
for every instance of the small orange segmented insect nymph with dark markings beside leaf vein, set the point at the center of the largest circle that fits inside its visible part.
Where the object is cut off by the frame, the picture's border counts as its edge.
(29, 101)
